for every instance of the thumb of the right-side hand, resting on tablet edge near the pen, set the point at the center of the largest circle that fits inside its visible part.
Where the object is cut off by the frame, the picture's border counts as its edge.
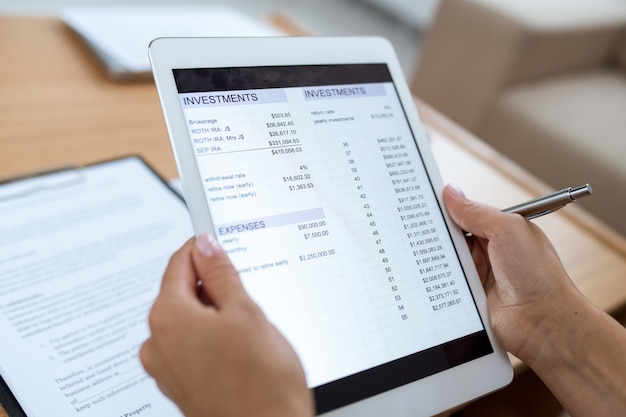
(476, 218)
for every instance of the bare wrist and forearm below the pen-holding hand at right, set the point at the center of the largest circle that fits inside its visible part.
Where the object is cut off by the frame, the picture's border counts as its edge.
(581, 360)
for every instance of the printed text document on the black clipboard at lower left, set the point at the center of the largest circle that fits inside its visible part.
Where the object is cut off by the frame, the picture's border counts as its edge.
(82, 254)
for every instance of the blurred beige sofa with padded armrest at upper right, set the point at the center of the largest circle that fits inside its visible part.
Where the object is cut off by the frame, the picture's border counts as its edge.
(543, 81)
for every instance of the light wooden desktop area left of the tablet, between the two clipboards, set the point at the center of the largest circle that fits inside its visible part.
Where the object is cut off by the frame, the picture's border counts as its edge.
(57, 106)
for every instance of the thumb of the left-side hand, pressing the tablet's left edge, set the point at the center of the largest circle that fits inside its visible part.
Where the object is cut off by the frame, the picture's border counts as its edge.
(219, 278)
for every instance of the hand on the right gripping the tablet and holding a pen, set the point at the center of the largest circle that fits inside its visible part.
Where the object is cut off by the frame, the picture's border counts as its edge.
(528, 290)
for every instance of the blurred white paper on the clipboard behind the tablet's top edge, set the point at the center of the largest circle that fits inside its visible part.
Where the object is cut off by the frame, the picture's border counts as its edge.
(120, 35)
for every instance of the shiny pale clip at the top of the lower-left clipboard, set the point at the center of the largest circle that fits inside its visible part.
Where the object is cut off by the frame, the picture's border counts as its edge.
(56, 178)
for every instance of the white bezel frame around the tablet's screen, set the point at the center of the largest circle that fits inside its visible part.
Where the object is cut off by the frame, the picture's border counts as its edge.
(428, 395)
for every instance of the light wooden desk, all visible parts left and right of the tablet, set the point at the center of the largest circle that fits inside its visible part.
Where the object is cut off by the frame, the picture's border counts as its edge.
(58, 107)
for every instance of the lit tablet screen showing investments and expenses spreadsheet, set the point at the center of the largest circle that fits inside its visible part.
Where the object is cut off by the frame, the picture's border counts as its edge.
(318, 193)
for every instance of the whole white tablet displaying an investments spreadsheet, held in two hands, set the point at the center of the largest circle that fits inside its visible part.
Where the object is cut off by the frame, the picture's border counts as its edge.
(307, 159)
